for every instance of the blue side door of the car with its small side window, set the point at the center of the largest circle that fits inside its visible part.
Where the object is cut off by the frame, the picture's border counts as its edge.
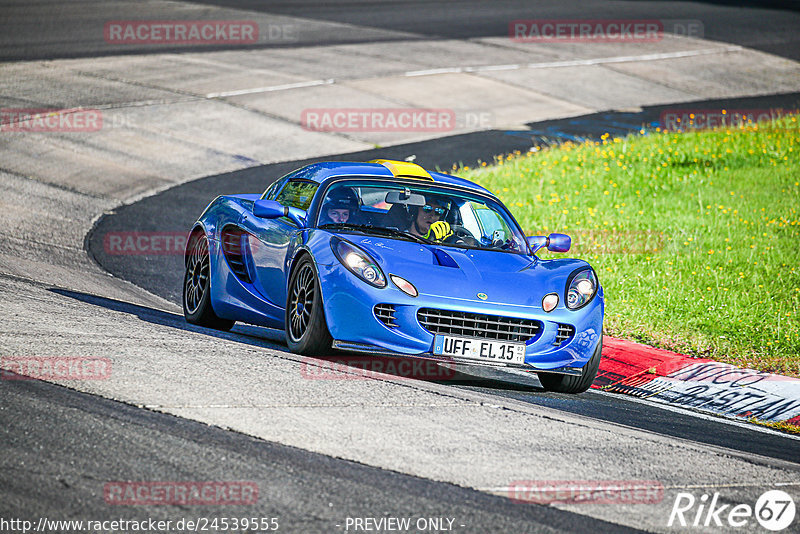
(269, 239)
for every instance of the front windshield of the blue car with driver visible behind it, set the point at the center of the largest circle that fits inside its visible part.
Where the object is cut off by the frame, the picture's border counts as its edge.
(421, 213)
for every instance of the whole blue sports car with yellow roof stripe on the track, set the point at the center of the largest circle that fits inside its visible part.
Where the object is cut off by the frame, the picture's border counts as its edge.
(387, 258)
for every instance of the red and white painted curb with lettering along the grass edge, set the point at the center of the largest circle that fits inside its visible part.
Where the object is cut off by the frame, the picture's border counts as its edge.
(699, 384)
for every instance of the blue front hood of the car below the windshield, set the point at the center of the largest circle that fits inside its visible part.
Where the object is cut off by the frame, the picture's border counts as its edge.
(442, 271)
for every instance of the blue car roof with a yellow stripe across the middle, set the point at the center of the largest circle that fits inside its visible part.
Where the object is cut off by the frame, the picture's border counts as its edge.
(322, 171)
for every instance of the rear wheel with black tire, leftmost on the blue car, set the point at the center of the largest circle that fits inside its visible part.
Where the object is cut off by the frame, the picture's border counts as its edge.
(197, 286)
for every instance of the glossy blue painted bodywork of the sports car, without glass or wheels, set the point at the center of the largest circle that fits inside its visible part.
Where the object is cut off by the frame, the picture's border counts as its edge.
(250, 283)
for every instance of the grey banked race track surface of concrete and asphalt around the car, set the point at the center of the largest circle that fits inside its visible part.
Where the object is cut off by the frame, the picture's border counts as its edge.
(191, 404)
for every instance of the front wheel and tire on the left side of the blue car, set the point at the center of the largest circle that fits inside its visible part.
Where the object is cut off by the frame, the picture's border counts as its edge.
(306, 329)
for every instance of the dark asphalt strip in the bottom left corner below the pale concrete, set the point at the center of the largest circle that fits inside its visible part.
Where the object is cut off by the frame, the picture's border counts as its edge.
(305, 491)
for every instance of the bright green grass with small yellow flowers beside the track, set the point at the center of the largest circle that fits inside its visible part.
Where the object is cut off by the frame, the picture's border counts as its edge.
(695, 236)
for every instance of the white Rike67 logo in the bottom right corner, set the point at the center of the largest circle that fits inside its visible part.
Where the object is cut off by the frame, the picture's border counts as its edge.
(774, 510)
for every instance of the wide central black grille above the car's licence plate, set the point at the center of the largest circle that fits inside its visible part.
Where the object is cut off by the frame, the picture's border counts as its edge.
(456, 323)
